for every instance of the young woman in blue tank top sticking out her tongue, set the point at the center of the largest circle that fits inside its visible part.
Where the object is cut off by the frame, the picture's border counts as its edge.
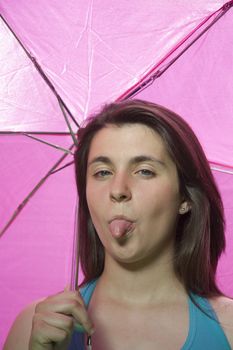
(151, 232)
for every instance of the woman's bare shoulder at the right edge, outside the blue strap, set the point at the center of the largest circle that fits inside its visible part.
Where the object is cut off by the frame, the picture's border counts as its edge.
(223, 307)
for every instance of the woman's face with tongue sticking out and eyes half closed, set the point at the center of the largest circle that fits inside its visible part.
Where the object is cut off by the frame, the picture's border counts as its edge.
(132, 192)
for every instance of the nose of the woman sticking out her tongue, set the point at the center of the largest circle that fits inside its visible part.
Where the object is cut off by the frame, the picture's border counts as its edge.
(120, 189)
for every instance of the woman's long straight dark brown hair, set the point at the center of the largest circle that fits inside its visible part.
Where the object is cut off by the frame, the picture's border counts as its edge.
(199, 238)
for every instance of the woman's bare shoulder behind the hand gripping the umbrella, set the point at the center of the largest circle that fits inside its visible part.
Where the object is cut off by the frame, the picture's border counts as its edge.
(19, 334)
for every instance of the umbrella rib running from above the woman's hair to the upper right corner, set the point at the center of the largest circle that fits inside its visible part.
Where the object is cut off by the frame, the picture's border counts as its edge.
(143, 84)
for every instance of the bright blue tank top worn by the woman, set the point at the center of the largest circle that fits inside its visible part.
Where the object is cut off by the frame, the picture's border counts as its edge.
(204, 332)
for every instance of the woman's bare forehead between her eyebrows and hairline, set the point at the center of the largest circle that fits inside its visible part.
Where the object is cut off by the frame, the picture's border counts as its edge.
(128, 140)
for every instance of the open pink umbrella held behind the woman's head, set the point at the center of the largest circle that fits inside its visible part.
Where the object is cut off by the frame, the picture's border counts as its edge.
(68, 59)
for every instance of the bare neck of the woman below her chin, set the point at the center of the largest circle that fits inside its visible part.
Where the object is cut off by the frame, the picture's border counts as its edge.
(154, 281)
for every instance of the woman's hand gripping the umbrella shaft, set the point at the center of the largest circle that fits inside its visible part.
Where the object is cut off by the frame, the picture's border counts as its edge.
(54, 320)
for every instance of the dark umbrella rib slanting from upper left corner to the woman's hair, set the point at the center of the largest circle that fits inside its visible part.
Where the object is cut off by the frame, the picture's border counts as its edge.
(42, 74)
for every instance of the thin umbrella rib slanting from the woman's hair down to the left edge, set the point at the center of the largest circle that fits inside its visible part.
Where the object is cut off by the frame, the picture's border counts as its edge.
(33, 191)
